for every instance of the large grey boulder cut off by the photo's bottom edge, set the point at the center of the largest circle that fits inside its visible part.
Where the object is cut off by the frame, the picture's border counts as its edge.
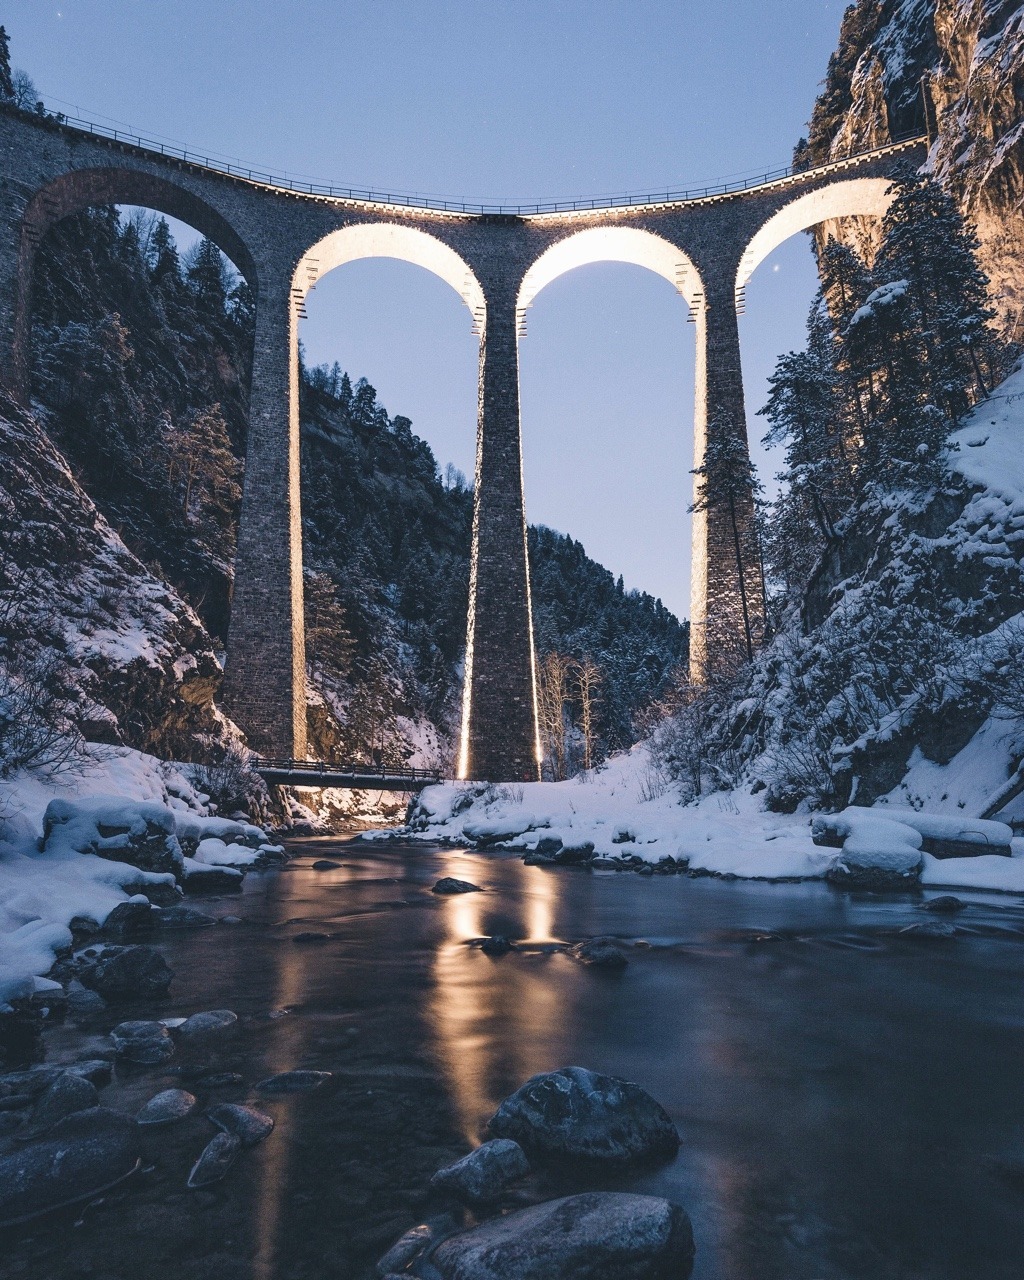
(598, 1236)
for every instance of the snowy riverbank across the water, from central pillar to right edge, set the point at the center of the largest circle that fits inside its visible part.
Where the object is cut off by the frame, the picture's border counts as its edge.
(619, 816)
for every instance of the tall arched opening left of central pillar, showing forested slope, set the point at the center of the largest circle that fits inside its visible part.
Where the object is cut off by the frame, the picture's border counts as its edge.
(388, 390)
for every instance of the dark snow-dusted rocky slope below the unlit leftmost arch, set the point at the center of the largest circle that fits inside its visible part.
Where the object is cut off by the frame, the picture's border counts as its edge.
(80, 611)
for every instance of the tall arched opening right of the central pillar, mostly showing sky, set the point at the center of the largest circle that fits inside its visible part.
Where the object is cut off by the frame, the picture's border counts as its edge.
(607, 388)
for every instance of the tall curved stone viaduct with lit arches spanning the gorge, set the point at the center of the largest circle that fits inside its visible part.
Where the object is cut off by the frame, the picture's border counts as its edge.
(284, 239)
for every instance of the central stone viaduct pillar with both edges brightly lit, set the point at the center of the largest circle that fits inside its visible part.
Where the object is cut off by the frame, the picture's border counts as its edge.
(500, 726)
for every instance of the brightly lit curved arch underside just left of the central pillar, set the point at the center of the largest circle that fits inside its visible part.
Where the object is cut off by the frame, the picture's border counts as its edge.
(391, 240)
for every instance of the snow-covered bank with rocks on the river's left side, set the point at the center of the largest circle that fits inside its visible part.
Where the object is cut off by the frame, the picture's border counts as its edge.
(42, 890)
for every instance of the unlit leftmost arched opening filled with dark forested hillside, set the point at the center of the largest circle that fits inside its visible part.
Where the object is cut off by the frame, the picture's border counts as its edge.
(139, 348)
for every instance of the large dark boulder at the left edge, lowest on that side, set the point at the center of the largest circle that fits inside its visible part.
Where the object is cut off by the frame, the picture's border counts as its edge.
(83, 1155)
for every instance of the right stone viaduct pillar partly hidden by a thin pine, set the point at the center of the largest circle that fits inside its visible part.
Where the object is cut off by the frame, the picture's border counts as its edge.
(728, 593)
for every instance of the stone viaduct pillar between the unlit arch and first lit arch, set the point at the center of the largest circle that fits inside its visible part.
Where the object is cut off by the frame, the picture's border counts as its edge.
(266, 678)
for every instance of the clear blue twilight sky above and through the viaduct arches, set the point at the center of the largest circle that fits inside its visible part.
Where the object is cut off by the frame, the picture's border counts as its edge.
(505, 100)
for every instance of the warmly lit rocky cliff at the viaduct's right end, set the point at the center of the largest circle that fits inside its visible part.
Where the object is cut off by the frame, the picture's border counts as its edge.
(957, 66)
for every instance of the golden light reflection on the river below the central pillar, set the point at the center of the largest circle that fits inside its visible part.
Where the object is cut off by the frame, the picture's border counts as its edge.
(495, 1020)
